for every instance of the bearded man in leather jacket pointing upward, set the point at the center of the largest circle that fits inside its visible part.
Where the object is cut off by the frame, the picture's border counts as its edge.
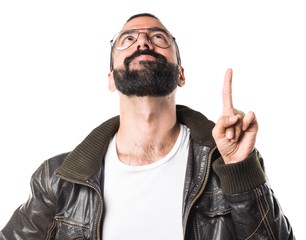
(158, 170)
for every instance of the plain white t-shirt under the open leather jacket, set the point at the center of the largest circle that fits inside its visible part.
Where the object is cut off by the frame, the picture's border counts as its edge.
(145, 202)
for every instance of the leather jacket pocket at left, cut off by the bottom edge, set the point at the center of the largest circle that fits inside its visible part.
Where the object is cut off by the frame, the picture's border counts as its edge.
(71, 230)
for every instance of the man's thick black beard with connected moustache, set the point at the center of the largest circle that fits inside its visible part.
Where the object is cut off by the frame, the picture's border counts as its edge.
(151, 78)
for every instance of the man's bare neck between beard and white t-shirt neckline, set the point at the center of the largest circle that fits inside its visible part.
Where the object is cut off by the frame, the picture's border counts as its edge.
(148, 129)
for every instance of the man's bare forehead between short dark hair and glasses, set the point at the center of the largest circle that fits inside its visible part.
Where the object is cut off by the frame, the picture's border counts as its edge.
(143, 22)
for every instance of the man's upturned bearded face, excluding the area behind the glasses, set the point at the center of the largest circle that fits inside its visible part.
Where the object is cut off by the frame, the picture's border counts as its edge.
(144, 69)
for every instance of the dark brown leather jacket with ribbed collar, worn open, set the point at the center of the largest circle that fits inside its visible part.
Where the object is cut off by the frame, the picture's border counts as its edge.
(219, 201)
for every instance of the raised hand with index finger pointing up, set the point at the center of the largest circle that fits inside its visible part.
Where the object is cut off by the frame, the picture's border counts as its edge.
(234, 133)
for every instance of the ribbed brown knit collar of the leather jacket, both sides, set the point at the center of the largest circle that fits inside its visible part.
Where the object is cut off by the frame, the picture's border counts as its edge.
(86, 159)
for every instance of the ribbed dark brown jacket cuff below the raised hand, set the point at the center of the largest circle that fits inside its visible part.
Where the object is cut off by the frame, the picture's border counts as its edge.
(242, 176)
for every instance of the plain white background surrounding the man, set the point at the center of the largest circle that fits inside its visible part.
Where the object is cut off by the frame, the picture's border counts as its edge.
(54, 61)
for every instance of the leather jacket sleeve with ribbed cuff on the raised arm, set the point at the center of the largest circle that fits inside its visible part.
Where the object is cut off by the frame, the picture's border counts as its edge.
(255, 210)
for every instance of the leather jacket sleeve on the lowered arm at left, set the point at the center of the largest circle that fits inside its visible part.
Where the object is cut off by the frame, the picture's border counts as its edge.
(33, 219)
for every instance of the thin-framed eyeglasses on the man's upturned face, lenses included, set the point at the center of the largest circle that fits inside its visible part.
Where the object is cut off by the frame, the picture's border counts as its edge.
(156, 36)
